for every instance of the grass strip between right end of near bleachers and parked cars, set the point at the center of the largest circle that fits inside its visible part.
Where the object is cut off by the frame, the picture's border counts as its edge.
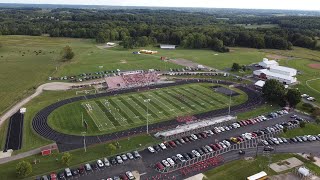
(261, 110)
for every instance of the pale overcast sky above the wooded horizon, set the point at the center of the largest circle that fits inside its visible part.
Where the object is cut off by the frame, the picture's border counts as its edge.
(257, 4)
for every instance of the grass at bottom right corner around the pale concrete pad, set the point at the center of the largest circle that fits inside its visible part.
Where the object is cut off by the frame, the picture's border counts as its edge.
(241, 169)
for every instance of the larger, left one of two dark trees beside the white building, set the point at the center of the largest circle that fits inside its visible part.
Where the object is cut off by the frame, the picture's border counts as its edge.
(274, 91)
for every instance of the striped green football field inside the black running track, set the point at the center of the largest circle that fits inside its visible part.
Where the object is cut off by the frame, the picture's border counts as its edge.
(110, 114)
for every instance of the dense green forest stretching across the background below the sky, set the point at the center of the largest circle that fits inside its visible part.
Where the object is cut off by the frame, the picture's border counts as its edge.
(142, 27)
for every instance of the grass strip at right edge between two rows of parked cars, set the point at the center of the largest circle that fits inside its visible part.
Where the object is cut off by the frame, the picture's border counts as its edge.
(310, 129)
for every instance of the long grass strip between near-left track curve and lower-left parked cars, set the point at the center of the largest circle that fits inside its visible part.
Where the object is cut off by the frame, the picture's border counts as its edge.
(50, 164)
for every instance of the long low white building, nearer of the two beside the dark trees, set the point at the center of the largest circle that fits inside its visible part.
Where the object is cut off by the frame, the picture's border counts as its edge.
(267, 74)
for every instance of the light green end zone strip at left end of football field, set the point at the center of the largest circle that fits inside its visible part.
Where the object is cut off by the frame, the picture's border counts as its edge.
(99, 118)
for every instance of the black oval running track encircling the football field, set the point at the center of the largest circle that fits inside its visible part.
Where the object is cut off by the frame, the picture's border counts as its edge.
(68, 142)
